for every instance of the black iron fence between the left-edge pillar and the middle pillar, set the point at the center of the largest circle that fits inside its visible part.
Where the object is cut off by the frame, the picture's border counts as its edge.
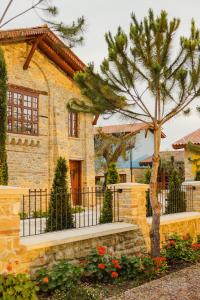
(79, 208)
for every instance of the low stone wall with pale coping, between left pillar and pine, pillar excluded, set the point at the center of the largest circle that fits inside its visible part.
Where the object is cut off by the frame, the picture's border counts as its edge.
(74, 245)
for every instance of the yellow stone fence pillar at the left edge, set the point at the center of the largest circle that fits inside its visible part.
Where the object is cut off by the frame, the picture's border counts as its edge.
(9, 223)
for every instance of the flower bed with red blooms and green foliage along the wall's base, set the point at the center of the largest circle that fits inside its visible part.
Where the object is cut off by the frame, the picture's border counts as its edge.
(95, 276)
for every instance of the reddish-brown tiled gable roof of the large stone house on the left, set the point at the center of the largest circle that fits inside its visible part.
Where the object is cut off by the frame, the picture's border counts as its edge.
(47, 42)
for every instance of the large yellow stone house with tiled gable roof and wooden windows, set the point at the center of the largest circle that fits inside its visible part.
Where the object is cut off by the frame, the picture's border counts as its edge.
(40, 129)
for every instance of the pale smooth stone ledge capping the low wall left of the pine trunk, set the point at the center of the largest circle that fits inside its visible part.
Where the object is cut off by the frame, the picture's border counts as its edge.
(74, 235)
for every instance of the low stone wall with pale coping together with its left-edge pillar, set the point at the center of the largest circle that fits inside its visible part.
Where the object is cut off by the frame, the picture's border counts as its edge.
(30, 253)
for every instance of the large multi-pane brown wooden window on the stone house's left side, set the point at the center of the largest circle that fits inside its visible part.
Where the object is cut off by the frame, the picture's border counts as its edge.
(22, 112)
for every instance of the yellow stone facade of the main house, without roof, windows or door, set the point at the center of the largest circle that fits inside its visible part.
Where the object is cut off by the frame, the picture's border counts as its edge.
(32, 159)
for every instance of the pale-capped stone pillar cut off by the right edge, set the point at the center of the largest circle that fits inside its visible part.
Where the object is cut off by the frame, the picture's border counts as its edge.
(194, 203)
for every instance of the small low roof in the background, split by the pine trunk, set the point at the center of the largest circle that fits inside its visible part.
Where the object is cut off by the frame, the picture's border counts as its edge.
(178, 157)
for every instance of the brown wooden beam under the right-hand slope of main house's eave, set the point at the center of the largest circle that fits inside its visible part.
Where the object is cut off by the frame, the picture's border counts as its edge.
(56, 58)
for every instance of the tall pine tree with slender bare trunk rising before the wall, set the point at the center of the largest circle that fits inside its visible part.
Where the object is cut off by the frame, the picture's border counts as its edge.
(144, 79)
